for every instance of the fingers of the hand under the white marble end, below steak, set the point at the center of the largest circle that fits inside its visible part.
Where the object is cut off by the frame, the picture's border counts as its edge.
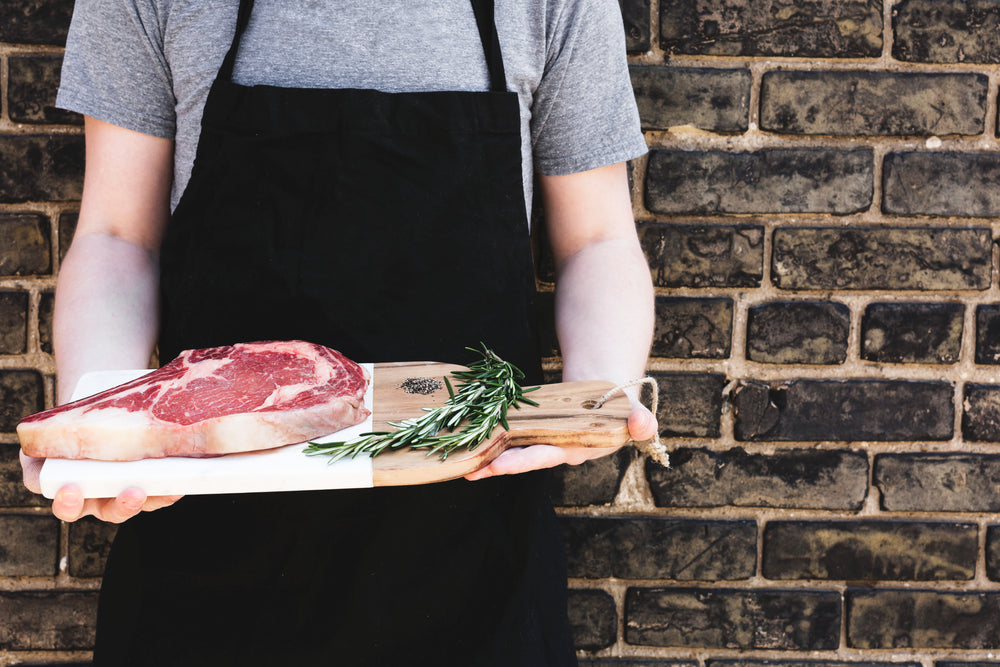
(70, 505)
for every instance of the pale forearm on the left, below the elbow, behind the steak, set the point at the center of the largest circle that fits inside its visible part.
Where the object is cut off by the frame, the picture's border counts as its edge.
(106, 309)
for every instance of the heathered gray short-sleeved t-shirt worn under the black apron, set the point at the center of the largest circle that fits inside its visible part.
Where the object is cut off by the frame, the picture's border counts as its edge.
(147, 65)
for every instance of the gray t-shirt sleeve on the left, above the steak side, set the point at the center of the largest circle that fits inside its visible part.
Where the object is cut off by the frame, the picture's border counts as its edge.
(114, 69)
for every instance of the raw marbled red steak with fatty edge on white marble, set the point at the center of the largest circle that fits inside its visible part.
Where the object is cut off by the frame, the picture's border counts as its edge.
(207, 402)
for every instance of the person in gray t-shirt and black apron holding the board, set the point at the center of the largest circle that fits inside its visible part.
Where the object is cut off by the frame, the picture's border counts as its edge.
(359, 175)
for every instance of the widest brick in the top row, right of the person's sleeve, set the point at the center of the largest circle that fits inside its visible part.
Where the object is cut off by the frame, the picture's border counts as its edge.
(817, 28)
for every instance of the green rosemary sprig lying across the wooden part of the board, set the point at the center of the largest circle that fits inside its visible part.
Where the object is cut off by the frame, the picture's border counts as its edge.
(489, 388)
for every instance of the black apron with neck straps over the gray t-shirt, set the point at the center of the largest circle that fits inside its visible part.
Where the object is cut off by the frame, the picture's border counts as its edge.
(389, 226)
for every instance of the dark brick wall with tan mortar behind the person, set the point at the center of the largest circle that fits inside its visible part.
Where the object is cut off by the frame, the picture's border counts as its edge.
(818, 208)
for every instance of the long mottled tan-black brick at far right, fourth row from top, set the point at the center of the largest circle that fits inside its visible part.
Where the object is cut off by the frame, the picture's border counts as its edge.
(882, 258)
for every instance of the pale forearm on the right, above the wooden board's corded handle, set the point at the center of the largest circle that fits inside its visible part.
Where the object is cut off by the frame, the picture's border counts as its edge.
(604, 312)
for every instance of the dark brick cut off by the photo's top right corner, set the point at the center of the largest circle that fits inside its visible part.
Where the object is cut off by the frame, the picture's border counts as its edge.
(947, 31)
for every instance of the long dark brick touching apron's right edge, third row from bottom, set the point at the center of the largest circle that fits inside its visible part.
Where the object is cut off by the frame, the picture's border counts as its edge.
(657, 548)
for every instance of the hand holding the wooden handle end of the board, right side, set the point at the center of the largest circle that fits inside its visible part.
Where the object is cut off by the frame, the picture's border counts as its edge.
(641, 426)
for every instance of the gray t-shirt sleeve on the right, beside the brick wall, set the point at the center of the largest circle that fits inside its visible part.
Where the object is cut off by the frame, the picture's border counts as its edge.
(584, 113)
